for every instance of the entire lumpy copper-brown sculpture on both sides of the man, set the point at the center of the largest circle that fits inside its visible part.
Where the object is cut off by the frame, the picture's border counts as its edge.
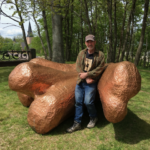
(48, 88)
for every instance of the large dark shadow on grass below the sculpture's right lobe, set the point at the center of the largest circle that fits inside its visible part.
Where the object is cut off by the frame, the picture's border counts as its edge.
(132, 129)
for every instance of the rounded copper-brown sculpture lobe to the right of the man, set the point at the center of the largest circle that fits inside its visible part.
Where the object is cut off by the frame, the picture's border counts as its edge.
(119, 82)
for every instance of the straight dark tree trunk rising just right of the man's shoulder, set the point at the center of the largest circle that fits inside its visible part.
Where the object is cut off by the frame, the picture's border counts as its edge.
(110, 52)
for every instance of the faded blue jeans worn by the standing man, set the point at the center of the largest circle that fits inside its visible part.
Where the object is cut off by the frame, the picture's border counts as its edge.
(85, 94)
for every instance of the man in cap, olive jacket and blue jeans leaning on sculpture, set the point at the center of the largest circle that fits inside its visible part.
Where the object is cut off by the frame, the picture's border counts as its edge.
(90, 63)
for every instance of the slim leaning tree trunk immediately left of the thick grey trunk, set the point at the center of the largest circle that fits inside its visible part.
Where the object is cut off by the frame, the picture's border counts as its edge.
(47, 35)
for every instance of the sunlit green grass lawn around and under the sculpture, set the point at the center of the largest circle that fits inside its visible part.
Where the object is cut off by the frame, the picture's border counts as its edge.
(133, 133)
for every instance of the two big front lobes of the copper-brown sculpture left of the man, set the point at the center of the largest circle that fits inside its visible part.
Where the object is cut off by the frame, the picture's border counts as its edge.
(52, 90)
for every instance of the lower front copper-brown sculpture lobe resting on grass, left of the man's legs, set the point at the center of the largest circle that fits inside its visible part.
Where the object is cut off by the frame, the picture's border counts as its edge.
(48, 110)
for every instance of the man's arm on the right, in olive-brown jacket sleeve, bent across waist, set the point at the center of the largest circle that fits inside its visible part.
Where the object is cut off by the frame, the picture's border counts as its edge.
(97, 71)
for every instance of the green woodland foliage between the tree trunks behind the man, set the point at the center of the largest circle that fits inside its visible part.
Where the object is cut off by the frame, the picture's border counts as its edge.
(75, 25)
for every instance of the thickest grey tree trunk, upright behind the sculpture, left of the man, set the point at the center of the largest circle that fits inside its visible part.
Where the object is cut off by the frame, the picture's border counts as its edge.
(57, 47)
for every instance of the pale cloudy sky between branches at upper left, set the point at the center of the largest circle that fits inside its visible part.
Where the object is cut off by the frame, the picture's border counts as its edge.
(12, 31)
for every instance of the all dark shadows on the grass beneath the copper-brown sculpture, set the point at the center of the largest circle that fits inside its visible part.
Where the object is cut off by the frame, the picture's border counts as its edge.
(131, 130)
